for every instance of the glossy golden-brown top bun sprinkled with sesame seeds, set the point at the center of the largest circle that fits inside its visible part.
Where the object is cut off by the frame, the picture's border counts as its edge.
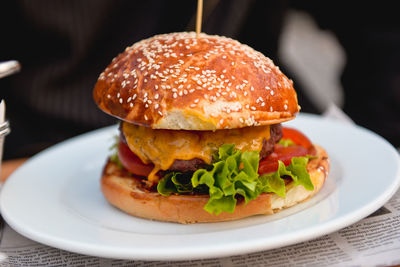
(178, 81)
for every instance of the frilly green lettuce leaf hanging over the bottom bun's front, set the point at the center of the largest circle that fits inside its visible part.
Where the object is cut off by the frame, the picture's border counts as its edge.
(232, 174)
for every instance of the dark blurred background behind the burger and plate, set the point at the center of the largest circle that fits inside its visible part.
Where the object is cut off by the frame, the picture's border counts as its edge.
(63, 45)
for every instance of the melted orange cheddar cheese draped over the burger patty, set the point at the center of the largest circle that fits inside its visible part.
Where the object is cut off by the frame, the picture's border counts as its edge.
(162, 147)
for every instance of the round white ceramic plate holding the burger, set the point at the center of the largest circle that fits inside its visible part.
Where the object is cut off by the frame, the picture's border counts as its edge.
(55, 199)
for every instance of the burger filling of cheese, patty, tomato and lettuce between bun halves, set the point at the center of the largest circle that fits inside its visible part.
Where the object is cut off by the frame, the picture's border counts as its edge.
(225, 164)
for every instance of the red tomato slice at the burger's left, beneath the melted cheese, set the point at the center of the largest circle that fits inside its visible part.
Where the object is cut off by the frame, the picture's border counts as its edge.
(131, 162)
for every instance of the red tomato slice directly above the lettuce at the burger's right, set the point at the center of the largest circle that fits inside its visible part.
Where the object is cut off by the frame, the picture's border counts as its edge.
(284, 154)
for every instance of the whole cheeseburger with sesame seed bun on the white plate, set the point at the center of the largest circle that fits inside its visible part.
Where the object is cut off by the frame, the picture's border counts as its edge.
(201, 138)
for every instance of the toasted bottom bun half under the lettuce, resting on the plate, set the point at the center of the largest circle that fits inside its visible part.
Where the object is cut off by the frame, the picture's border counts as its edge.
(128, 194)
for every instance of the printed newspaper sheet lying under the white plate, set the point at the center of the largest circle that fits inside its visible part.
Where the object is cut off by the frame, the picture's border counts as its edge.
(373, 241)
